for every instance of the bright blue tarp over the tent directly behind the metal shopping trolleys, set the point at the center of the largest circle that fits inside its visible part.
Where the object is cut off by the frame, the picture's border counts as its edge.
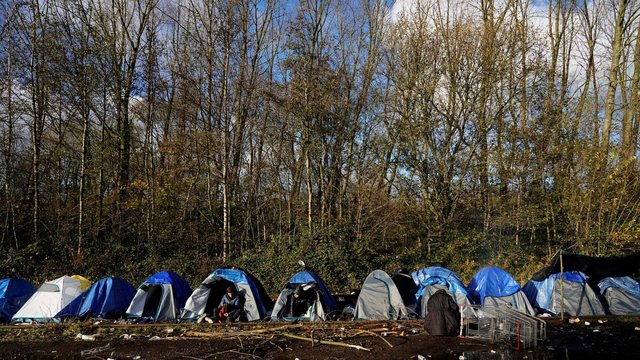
(491, 281)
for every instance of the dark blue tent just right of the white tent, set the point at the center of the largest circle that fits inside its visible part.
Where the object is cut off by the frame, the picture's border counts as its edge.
(107, 298)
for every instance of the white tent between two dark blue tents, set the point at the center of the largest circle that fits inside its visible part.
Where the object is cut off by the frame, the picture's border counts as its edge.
(51, 297)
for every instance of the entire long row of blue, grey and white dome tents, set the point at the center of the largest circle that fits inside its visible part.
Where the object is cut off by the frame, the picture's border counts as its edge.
(166, 297)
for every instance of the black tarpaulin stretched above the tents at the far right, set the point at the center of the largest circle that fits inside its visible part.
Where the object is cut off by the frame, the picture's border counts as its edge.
(595, 268)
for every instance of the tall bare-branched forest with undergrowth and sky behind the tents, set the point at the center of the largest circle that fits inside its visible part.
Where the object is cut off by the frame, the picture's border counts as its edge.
(141, 135)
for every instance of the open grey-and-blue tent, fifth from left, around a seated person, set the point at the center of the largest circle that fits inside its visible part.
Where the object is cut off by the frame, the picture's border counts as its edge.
(207, 296)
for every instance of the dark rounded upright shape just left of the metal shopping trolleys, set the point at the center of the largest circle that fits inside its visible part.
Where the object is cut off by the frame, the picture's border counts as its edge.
(443, 317)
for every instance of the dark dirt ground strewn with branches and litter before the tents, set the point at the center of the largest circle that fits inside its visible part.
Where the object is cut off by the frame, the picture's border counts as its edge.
(603, 337)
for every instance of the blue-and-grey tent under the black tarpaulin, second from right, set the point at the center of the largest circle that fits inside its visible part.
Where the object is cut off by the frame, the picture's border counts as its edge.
(578, 298)
